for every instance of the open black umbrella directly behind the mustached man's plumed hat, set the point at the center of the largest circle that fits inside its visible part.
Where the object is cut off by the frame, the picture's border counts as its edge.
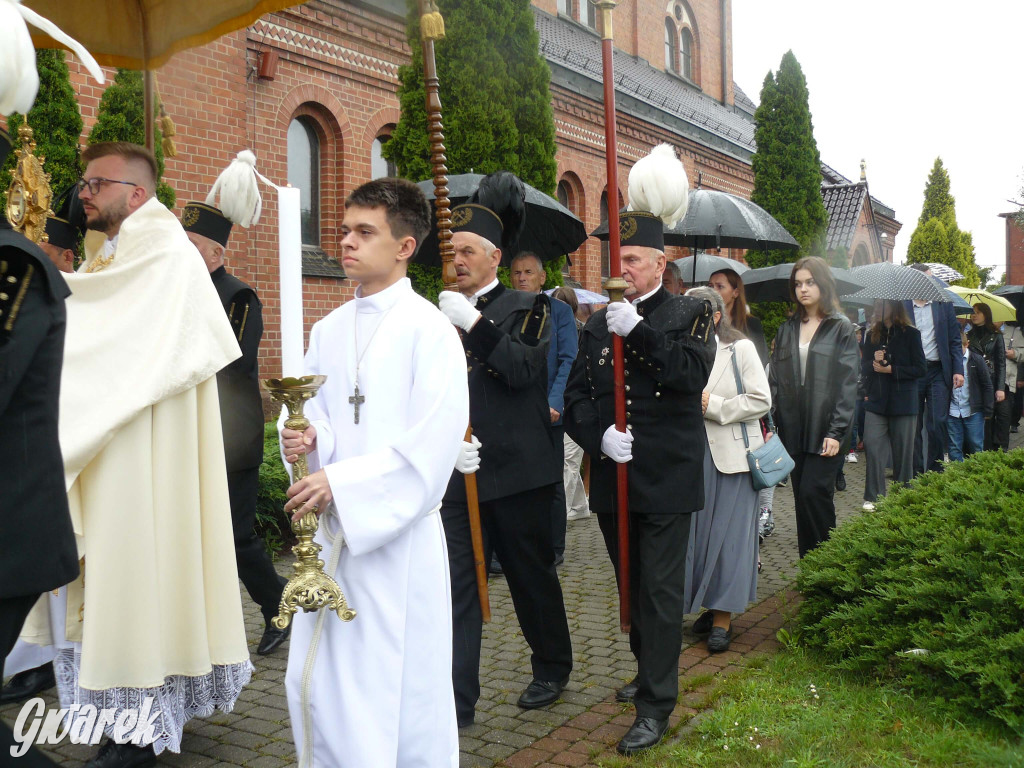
(551, 229)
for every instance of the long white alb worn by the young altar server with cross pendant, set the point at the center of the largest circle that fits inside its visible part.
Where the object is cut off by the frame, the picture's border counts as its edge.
(377, 692)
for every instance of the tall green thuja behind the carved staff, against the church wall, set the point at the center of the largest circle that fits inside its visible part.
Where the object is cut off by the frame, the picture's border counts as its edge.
(497, 106)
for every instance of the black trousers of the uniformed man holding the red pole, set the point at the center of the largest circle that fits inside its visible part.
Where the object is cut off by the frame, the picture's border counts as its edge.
(658, 575)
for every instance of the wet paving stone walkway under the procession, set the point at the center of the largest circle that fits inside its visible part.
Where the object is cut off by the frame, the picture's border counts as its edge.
(581, 729)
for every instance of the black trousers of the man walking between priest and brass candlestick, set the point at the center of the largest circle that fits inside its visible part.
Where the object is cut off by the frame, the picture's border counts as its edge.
(255, 568)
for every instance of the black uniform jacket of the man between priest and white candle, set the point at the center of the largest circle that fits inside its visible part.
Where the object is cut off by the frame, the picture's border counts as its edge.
(238, 385)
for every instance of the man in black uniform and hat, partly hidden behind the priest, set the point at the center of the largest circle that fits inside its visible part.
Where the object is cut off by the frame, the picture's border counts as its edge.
(241, 415)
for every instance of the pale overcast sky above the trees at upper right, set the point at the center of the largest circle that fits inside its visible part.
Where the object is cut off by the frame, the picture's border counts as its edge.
(902, 82)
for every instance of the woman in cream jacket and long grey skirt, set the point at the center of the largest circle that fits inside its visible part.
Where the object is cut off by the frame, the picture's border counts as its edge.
(722, 554)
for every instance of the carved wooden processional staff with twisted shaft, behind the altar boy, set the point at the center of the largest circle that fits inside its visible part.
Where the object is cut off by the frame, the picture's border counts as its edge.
(432, 29)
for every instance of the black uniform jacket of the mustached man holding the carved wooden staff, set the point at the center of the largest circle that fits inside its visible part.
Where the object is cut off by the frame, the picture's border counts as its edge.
(507, 361)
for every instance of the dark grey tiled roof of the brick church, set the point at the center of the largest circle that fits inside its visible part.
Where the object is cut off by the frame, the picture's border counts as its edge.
(574, 54)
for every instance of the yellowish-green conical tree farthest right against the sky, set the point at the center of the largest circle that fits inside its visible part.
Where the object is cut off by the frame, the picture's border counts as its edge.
(937, 237)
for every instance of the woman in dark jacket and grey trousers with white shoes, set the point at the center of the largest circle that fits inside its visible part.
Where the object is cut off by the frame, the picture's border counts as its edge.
(892, 367)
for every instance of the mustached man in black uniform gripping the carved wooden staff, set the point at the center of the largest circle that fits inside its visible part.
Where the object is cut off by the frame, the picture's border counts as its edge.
(505, 334)
